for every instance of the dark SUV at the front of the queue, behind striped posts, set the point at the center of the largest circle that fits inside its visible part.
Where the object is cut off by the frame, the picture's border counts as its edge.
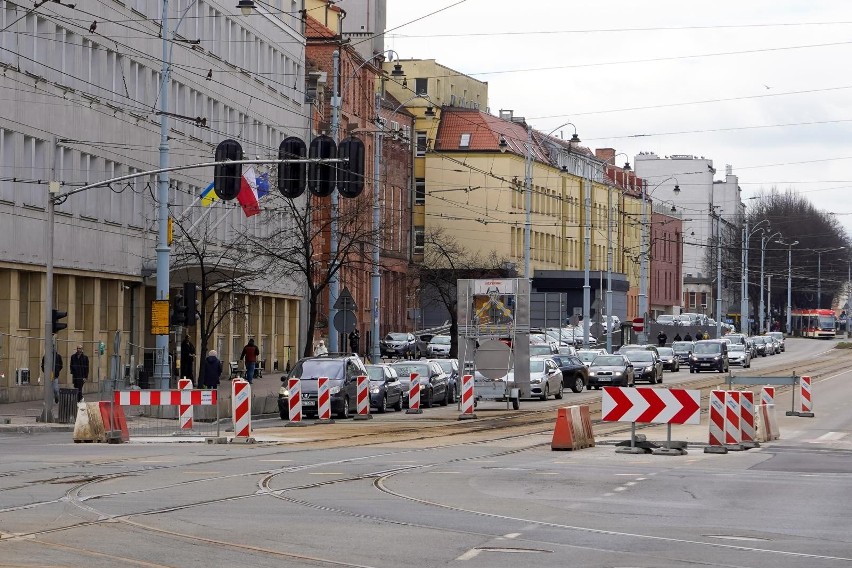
(342, 372)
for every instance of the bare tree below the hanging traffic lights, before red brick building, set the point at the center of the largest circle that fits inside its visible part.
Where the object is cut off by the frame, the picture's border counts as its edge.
(296, 245)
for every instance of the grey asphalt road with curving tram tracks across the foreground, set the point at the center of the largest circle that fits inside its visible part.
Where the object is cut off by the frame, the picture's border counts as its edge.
(482, 499)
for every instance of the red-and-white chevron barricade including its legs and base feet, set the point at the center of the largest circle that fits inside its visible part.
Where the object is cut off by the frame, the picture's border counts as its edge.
(648, 405)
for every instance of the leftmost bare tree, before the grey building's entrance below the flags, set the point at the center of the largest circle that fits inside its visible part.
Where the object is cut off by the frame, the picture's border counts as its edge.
(219, 270)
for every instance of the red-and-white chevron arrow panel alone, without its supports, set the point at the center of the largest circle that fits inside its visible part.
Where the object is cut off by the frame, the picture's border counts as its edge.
(660, 406)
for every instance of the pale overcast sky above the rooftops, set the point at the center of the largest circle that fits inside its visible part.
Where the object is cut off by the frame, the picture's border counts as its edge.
(761, 85)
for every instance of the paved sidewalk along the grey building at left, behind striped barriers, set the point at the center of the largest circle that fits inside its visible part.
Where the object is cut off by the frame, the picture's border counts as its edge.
(23, 417)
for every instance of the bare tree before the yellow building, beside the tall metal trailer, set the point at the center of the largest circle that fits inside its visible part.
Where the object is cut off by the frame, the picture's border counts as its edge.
(445, 261)
